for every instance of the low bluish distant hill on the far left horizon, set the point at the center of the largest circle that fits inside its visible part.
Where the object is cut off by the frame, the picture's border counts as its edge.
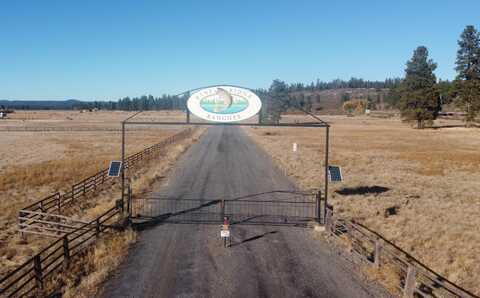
(42, 104)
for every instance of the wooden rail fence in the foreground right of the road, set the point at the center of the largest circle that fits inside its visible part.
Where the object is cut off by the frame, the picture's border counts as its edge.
(413, 278)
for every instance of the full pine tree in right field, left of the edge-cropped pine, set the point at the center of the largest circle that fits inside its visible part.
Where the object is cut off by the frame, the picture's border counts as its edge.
(419, 100)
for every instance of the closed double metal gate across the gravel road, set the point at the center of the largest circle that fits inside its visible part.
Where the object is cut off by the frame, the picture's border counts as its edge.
(272, 208)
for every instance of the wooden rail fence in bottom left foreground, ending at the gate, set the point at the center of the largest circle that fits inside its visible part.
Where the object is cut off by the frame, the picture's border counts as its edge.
(35, 277)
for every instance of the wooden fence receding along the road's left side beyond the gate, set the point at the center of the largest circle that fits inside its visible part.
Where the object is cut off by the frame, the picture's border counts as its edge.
(56, 202)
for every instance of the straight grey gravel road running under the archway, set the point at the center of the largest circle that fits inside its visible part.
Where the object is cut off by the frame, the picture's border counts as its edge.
(187, 260)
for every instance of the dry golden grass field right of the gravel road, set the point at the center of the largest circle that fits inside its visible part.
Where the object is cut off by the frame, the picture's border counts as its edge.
(431, 178)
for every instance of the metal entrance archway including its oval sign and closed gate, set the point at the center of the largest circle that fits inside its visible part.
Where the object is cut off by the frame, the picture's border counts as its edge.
(274, 206)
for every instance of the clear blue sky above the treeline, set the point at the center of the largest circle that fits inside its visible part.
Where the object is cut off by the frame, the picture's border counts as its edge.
(98, 50)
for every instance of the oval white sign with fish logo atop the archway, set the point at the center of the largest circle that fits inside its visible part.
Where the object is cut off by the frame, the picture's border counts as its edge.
(224, 104)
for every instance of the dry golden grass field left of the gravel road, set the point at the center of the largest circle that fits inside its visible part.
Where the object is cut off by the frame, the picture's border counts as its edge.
(42, 152)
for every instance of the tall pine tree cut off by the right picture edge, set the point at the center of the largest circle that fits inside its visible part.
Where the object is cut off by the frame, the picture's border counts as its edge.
(467, 83)
